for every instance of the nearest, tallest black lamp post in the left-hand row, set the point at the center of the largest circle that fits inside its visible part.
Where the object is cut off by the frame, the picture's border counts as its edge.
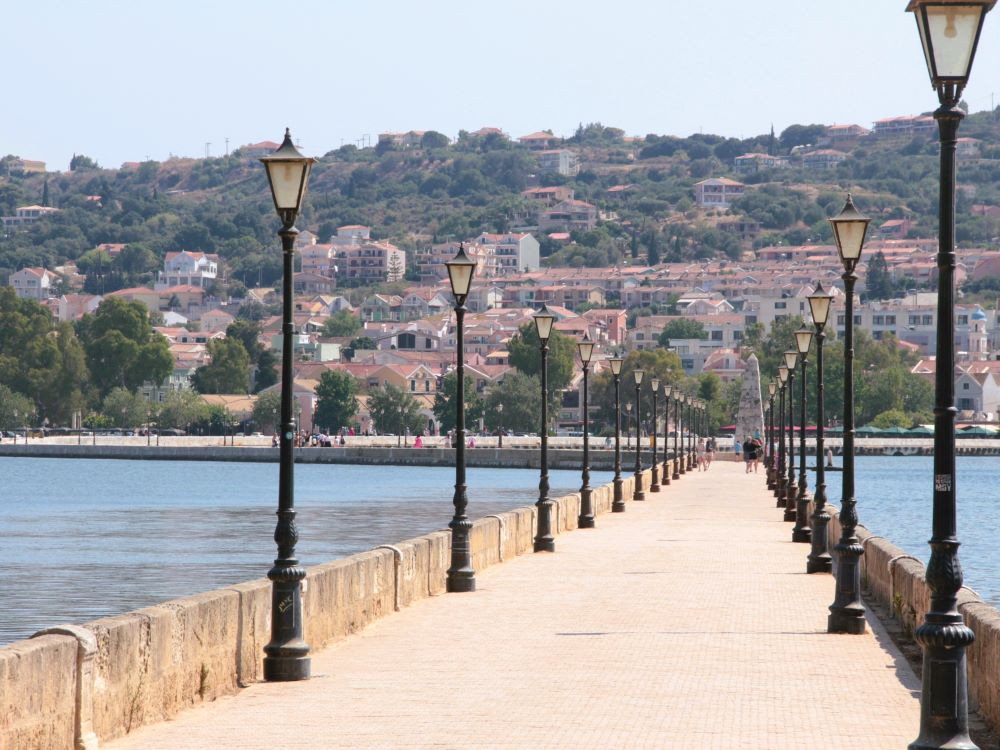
(287, 654)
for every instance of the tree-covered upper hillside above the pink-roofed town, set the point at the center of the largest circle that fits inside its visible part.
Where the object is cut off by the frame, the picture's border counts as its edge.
(436, 191)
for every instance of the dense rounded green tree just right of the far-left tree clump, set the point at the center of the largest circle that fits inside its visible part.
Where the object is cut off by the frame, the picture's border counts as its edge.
(122, 347)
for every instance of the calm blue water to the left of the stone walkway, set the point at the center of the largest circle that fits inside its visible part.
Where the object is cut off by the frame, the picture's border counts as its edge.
(83, 539)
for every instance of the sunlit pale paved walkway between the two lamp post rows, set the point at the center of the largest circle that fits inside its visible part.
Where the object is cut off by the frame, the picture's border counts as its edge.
(687, 621)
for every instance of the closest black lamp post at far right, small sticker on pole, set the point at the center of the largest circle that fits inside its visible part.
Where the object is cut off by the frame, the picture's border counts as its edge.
(950, 33)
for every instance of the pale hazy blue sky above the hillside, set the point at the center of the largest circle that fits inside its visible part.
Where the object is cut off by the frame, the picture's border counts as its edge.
(126, 80)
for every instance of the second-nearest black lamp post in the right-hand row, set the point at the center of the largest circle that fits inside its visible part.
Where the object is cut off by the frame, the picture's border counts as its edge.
(847, 613)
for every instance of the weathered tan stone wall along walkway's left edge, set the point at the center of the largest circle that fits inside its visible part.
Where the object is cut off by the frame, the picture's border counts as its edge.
(73, 686)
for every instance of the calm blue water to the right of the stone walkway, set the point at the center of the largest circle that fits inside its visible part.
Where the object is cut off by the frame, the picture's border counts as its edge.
(895, 500)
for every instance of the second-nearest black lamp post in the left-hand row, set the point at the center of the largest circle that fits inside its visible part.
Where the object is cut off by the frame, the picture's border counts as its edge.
(461, 575)
